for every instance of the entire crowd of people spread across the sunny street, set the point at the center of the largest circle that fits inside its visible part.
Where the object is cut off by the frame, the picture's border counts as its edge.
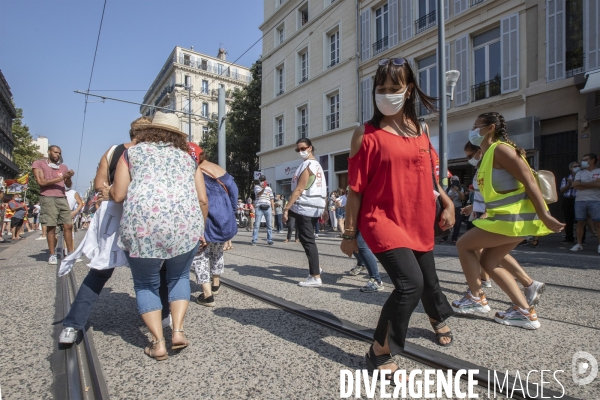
(163, 209)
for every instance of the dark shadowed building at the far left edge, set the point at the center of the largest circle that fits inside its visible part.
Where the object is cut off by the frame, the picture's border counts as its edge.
(8, 169)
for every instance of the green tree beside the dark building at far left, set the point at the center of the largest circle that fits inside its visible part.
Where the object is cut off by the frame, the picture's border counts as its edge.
(25, 153)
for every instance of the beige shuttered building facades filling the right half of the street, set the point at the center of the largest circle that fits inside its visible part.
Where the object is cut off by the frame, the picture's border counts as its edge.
(526, 59)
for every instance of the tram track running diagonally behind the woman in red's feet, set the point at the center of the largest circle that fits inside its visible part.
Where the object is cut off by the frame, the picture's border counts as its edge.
(431, 358)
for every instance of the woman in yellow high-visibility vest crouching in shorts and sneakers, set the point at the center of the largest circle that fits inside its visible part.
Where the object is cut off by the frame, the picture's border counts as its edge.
(515, 209)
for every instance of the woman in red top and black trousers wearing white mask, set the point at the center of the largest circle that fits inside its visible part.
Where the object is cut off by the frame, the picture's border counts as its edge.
(391, 202)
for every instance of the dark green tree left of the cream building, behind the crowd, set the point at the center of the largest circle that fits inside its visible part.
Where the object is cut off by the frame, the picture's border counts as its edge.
(242, 131)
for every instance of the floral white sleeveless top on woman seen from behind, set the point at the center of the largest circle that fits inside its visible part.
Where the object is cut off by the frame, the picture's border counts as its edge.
(161, 213)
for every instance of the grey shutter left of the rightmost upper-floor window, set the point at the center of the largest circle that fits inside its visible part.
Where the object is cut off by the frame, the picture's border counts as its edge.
(555, 40)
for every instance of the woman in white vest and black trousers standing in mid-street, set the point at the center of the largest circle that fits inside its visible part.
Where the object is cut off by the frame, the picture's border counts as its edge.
(307, 203)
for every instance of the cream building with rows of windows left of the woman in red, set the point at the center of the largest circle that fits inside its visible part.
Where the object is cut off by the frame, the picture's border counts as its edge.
(309, 87)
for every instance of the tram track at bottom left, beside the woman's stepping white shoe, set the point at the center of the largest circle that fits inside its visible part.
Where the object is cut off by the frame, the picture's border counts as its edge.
(76, 367)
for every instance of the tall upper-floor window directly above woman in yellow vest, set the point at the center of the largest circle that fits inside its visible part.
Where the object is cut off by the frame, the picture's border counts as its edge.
(487, 63)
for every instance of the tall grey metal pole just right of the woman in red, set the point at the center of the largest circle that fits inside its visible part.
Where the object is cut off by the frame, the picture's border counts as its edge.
(443, 135)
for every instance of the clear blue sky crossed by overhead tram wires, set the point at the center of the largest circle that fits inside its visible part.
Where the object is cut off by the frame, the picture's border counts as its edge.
(47, 48)
